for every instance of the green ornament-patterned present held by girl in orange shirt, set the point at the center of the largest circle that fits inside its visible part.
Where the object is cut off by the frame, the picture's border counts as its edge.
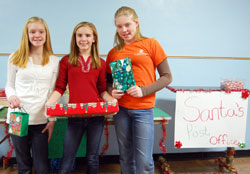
(123, 77)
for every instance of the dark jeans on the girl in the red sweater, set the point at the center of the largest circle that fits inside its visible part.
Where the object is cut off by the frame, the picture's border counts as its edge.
(75, 130)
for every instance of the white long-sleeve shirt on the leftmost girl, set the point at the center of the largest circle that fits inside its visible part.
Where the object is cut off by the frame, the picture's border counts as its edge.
(32, 85)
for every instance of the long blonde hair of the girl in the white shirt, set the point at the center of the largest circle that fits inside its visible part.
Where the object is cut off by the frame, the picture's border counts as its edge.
(21, 56)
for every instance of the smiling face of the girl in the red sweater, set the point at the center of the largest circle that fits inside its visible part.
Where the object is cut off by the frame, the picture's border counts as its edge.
(84, 39)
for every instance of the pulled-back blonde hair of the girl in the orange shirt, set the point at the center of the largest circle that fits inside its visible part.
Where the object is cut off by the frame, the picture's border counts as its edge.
(129, 12)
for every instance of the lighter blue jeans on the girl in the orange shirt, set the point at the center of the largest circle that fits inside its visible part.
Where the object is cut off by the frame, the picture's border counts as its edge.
(135, 136)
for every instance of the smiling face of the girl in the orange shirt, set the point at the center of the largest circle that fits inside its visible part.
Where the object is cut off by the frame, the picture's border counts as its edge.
(126, 28)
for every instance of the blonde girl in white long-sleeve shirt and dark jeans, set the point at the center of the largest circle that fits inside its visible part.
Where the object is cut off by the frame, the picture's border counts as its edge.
(31, 76)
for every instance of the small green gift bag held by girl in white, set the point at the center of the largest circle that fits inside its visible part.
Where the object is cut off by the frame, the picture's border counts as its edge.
(18, 124)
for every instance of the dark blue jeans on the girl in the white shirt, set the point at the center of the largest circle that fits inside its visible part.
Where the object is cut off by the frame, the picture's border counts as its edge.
(36, 143)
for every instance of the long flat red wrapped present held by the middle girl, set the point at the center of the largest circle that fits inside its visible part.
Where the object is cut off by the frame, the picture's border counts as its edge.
(82, 109)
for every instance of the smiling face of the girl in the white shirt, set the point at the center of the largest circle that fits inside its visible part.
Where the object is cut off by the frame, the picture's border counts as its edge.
(37, 34)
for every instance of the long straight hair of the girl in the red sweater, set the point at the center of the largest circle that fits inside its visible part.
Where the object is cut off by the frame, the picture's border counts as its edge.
(74, 50)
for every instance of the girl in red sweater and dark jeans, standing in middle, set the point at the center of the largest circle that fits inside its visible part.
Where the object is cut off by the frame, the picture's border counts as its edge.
(85, 74)
